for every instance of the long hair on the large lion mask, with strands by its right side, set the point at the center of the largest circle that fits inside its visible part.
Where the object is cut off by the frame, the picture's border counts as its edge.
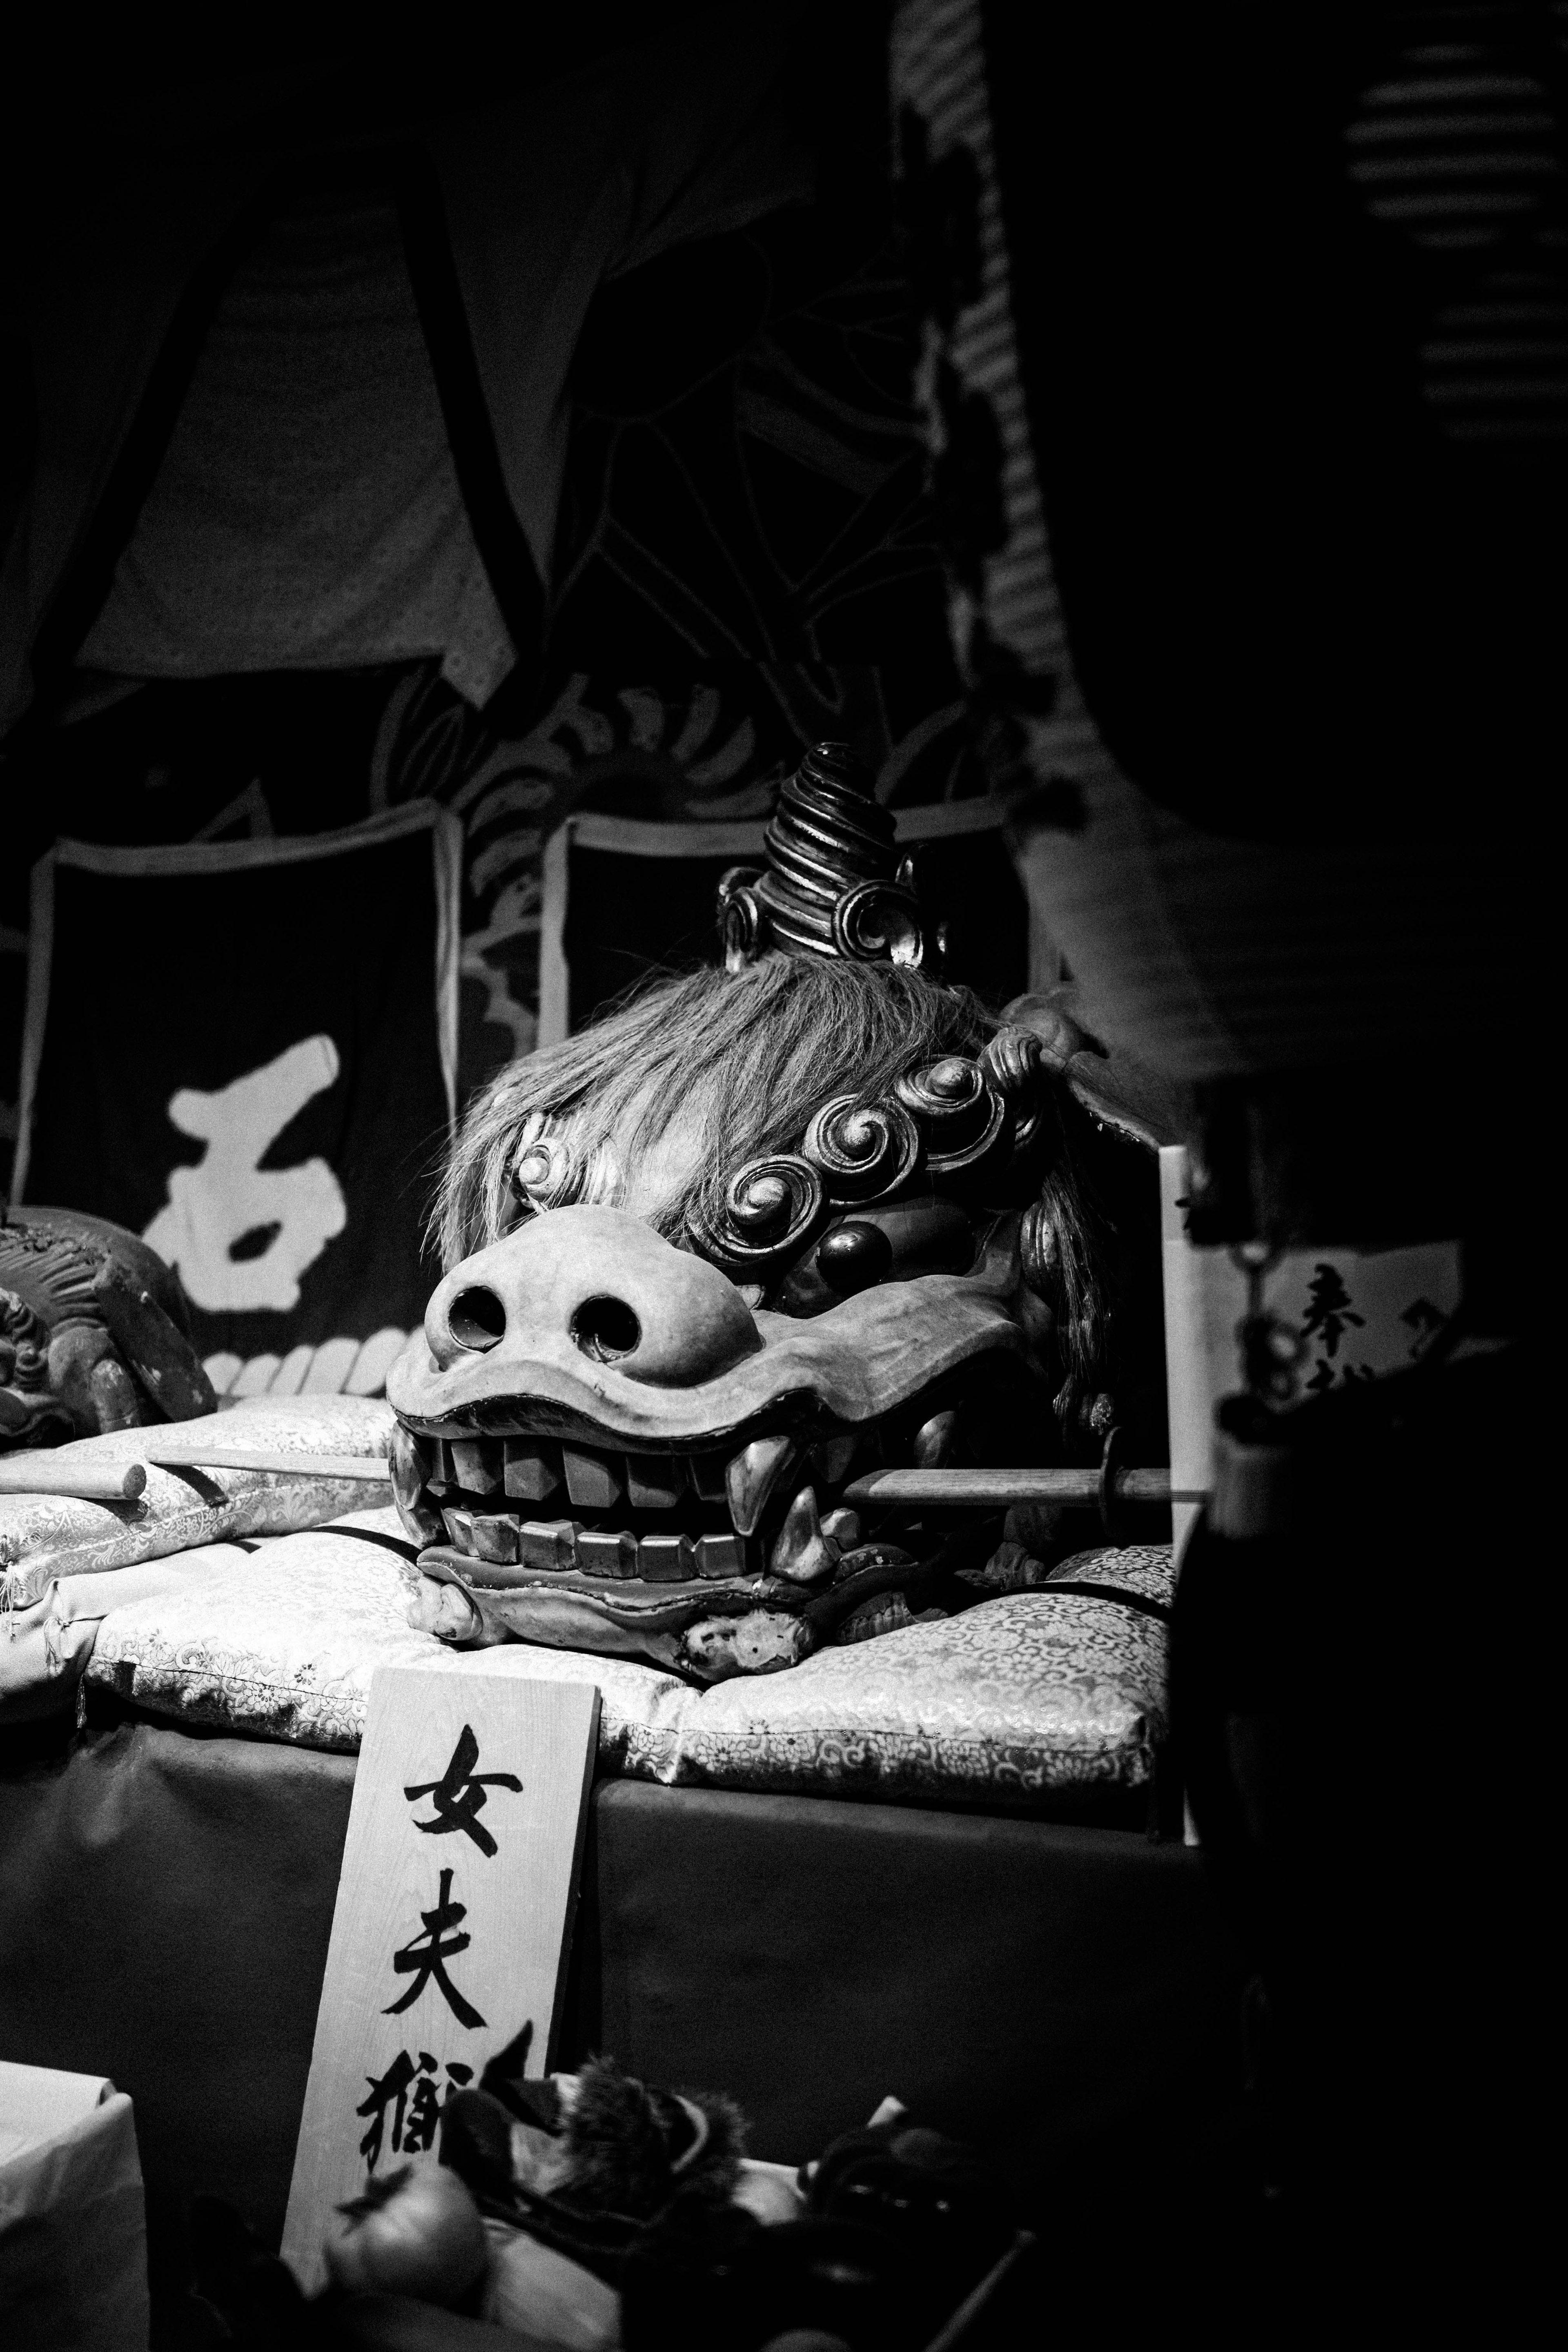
(746, 1060)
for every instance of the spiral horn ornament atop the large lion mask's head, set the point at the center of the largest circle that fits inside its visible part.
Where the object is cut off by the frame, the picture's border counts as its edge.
(836, 883)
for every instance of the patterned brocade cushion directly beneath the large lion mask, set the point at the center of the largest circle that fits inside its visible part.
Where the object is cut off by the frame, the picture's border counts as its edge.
(1012, 1702)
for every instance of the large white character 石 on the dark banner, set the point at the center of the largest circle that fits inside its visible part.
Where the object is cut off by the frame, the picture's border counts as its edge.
(239, 1234)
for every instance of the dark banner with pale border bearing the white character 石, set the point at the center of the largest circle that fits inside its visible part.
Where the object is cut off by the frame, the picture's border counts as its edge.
(246, 1055)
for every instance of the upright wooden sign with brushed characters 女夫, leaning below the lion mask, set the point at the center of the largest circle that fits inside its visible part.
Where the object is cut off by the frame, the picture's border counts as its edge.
(453, 1923)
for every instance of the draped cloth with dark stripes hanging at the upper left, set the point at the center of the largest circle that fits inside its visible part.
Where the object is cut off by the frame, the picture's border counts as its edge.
(304, 406)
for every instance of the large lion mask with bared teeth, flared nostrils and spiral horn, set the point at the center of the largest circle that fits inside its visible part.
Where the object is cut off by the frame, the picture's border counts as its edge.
(749, 1236)
